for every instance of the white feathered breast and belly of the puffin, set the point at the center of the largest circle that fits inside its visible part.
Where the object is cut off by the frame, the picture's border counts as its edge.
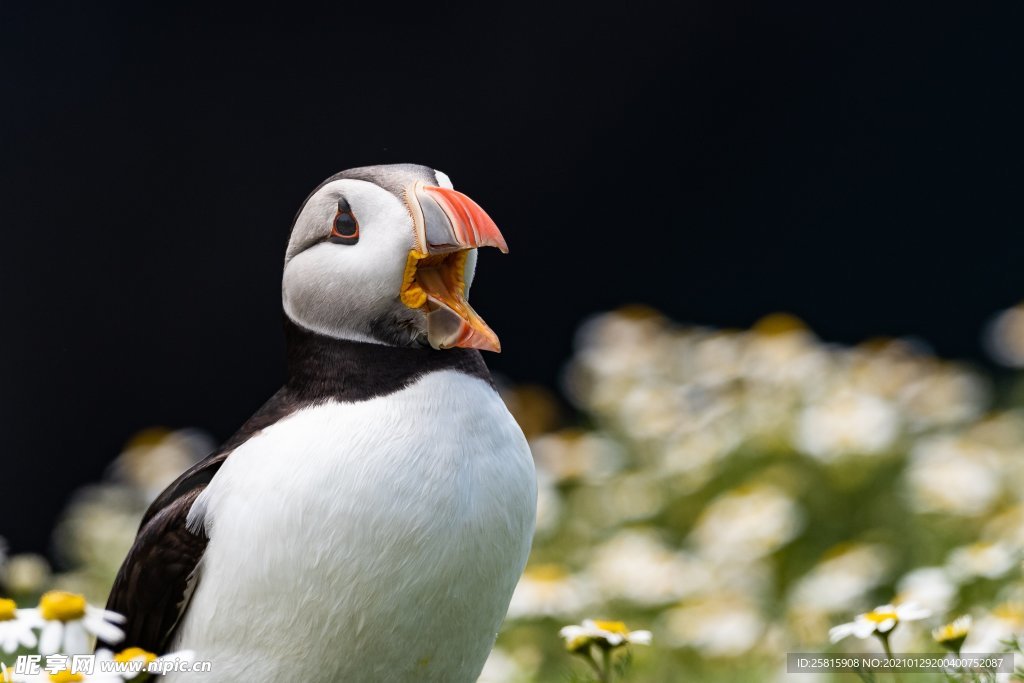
(378, 541)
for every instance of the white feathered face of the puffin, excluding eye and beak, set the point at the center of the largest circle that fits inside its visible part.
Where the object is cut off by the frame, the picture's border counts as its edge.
(352, 291)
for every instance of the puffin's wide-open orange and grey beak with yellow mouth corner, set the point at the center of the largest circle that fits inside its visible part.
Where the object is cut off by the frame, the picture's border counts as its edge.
(449, 227)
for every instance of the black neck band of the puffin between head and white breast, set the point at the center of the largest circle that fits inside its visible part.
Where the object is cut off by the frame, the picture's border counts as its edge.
(321, 367)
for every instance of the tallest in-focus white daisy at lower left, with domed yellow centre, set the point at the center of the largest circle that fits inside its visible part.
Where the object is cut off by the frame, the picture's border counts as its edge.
(70, 622)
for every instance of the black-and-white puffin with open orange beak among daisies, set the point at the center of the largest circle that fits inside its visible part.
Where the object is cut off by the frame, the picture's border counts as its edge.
(371, 522)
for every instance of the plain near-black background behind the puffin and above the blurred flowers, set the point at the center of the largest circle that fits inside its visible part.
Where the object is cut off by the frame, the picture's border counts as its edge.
(860, 167)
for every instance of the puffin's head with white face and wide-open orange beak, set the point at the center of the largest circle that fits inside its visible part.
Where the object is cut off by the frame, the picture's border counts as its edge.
(387, 254)
